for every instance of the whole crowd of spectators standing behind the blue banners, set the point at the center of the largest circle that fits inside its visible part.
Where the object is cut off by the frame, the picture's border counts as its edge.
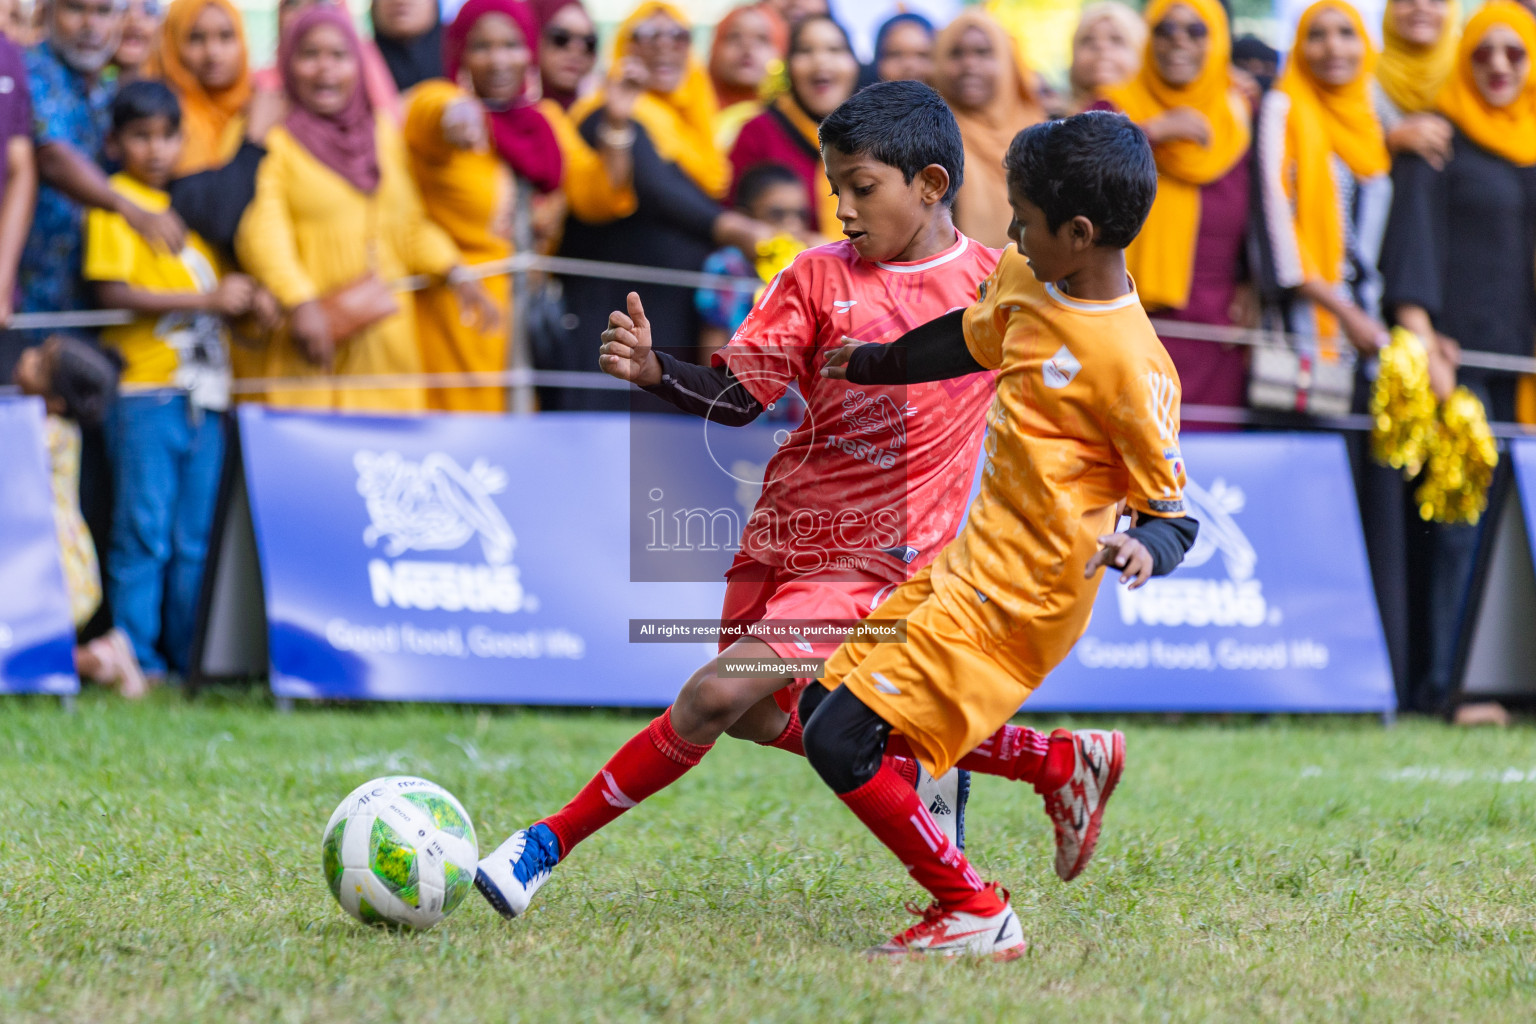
(253, 219)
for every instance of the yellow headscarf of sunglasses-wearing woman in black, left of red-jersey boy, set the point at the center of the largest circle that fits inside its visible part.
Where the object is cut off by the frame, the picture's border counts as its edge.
(680, 124)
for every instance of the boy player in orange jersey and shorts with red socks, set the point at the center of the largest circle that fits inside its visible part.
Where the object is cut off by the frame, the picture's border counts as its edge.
(1085, 418)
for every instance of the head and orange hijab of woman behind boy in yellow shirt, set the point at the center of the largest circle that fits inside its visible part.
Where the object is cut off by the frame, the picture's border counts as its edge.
(204, 58)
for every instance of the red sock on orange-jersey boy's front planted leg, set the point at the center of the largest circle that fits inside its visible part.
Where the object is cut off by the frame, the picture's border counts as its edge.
(892, 810)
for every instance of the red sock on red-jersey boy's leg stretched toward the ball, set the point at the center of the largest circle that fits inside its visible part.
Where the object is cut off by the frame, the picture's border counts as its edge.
(650, 762)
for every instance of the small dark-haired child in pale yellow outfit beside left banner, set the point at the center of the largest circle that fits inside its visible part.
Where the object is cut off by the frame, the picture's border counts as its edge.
(76, 385)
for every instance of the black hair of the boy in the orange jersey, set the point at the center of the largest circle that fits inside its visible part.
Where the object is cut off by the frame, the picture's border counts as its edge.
(1096, 165)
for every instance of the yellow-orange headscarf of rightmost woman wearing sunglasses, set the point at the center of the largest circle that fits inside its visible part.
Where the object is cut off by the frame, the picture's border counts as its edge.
(1509, 131)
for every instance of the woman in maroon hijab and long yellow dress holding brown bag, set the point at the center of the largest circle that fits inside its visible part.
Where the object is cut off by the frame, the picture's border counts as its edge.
(337, 206)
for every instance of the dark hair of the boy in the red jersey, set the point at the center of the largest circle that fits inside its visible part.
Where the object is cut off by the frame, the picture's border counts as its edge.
(901, 124)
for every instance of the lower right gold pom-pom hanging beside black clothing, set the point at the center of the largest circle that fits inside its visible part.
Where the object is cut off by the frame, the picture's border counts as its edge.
(1462, 460)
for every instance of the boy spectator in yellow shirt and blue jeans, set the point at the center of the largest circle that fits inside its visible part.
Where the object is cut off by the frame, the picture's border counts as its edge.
(167, 431)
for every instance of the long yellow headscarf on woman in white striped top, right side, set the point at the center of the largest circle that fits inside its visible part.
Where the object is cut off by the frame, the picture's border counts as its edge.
(1328, 121)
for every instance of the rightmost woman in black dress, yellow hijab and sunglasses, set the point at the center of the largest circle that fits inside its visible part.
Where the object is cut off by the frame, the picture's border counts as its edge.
(1460, 268)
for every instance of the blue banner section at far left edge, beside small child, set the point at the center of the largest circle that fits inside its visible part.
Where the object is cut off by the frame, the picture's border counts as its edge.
(38, 635)
